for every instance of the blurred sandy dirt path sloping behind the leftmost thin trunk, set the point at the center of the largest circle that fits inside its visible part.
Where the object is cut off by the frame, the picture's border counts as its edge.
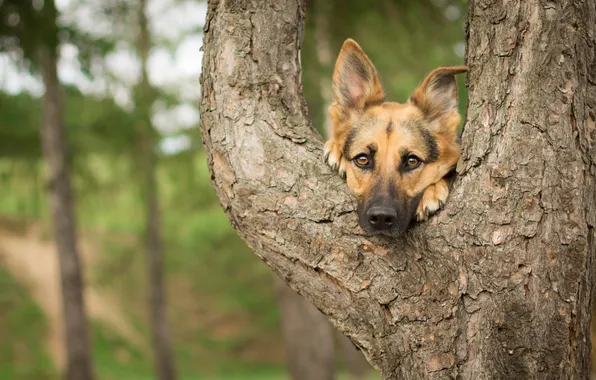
(34, 263)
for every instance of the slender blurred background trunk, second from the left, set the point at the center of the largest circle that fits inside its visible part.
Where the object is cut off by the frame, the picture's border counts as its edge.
(164, 359)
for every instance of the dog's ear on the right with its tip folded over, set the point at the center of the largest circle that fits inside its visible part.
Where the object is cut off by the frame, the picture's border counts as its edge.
(437, 95)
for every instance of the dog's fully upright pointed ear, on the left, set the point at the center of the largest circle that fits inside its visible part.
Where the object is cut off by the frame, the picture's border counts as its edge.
(356, 83)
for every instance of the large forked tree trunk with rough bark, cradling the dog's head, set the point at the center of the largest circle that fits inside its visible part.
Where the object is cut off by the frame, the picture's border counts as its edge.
(494, 287)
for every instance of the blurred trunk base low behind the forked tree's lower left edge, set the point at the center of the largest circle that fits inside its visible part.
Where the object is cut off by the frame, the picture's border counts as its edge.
(308, 336)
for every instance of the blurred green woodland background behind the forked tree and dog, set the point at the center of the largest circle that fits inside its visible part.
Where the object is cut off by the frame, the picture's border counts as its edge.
(122, 61)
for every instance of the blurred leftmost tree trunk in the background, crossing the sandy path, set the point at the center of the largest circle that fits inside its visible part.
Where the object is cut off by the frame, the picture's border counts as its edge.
(79, 364)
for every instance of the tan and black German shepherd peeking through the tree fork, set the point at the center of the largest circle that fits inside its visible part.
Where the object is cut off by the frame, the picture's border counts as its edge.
(395, 157)
